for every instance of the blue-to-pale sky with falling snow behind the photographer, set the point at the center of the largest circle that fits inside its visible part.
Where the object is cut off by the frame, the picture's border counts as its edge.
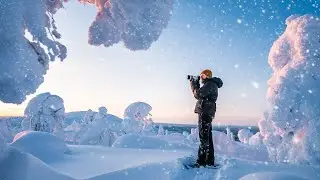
(232, 38)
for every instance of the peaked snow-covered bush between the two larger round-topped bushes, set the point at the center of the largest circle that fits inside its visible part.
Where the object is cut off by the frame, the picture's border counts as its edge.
(104, 129)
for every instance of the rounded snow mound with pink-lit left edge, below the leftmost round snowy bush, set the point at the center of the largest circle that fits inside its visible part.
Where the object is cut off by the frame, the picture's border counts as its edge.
(42, 145)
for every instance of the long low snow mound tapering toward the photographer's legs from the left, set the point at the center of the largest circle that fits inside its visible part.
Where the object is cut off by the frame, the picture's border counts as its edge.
(145, 142)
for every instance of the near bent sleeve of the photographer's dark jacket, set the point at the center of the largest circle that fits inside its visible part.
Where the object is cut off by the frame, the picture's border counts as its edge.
(208, 89)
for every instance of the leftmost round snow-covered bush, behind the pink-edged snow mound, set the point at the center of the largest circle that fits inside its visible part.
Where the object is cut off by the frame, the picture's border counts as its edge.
(45, 112)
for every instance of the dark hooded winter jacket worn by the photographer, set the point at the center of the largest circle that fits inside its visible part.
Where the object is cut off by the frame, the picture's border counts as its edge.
(206, 95)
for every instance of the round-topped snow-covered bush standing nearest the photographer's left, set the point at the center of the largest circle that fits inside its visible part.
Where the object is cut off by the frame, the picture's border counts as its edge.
(136, 118)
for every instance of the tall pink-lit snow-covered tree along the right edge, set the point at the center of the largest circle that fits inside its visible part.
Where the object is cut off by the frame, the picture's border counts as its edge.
(293, 116)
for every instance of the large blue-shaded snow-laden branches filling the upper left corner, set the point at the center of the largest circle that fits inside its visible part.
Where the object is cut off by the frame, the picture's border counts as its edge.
(23, 62)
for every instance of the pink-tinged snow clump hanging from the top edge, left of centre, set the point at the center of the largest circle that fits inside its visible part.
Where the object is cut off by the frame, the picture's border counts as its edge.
(137, 23)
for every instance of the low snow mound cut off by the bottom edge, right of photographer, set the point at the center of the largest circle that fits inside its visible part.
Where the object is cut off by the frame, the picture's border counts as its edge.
(271, 175)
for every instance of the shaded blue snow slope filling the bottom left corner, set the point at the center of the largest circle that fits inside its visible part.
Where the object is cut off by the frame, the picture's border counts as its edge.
(19, 165)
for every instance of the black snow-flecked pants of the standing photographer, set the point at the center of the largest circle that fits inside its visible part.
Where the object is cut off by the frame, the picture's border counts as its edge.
(206, 150)
